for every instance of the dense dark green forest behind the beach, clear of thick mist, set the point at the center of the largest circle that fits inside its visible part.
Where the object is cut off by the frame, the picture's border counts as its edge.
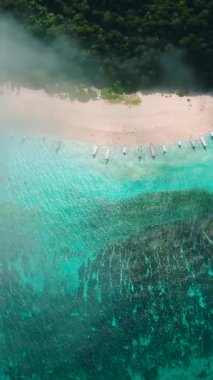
(130, 43)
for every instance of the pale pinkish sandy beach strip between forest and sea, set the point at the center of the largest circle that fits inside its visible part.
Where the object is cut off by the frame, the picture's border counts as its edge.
(160, 118)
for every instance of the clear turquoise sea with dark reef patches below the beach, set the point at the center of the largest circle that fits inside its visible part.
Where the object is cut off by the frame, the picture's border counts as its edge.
(105, 268)
